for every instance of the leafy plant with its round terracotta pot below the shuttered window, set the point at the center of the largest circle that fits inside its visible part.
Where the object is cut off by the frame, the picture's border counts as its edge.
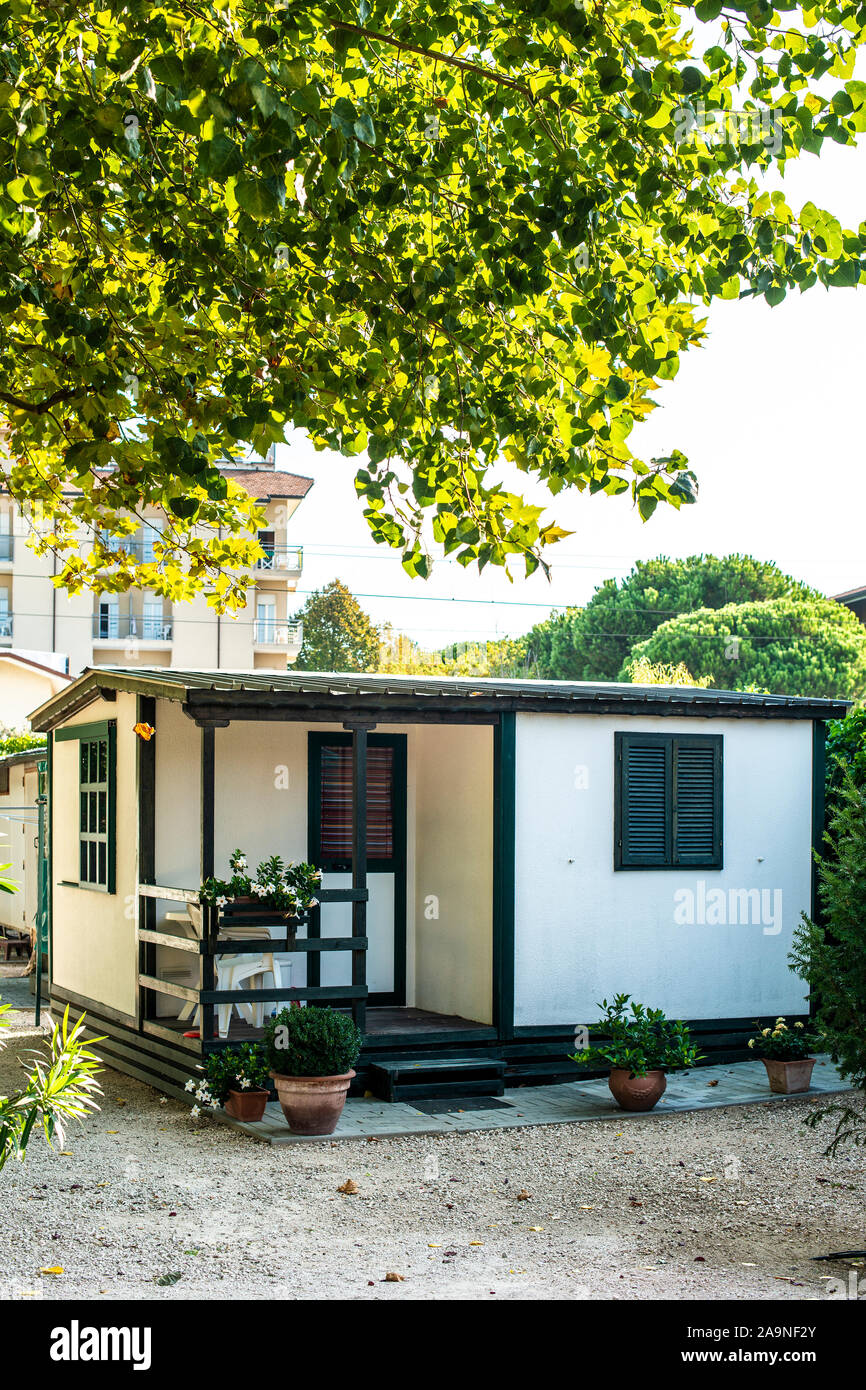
(640, 1047)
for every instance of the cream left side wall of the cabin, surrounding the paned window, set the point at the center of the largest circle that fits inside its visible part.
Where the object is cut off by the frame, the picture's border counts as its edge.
(95, 953)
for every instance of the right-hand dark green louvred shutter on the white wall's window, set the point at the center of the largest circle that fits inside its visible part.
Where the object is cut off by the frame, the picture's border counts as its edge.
(698, 801)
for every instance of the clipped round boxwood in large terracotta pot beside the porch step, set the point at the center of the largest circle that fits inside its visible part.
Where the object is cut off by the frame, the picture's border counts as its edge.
(312, 1054)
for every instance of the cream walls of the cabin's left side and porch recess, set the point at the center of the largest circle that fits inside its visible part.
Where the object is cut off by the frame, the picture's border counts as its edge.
(262, 808)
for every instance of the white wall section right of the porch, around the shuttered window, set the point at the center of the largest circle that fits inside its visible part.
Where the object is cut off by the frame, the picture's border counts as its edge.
(586, 932)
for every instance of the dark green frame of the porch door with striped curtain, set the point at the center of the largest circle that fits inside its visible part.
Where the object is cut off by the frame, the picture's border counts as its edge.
(397, 865)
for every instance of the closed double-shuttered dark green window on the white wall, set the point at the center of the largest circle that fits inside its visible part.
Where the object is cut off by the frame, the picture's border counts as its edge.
(668, 801)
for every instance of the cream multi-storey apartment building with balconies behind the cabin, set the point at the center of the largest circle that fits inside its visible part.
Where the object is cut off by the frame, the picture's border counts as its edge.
(144, 629)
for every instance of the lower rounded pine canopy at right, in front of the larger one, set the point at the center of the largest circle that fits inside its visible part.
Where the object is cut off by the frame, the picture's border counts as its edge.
(789, 647)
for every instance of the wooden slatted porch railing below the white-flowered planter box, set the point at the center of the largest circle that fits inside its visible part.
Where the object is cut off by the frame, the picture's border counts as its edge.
(209, 946)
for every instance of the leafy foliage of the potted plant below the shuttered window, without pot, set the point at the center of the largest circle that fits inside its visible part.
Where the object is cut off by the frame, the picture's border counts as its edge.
(640, 1040)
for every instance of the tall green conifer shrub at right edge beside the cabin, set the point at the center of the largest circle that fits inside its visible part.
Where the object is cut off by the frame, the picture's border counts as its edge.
(831, 956)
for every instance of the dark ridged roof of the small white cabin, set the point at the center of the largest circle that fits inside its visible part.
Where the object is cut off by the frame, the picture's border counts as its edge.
(211, 692)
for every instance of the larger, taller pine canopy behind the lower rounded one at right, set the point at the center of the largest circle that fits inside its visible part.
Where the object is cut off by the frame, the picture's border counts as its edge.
(596, 643)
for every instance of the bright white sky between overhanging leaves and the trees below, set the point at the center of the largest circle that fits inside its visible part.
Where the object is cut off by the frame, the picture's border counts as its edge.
(771, 414)
